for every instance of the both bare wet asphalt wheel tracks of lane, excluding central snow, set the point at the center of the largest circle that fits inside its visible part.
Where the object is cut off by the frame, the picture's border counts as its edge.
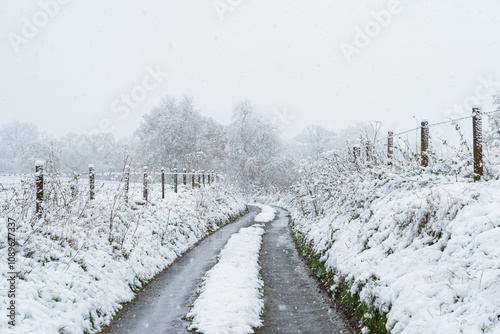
(294, 302)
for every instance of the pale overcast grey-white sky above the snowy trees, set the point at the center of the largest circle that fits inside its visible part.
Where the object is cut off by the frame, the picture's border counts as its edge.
(69, 67)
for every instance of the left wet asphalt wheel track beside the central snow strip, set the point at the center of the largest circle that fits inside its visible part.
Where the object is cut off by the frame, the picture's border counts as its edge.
(160, 307)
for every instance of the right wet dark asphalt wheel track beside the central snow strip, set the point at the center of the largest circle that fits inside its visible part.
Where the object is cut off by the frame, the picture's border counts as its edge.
(294, 301)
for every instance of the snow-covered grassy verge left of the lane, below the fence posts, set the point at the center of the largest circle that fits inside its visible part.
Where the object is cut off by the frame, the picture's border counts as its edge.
(84, 258)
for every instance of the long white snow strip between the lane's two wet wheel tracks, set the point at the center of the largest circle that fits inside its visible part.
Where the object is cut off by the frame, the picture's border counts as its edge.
(230, 299)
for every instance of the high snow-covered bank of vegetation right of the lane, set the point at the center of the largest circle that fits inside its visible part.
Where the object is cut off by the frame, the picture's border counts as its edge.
(406, 250)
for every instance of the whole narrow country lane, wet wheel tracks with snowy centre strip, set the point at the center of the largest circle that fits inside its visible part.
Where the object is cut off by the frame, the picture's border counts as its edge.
(247, 277)
